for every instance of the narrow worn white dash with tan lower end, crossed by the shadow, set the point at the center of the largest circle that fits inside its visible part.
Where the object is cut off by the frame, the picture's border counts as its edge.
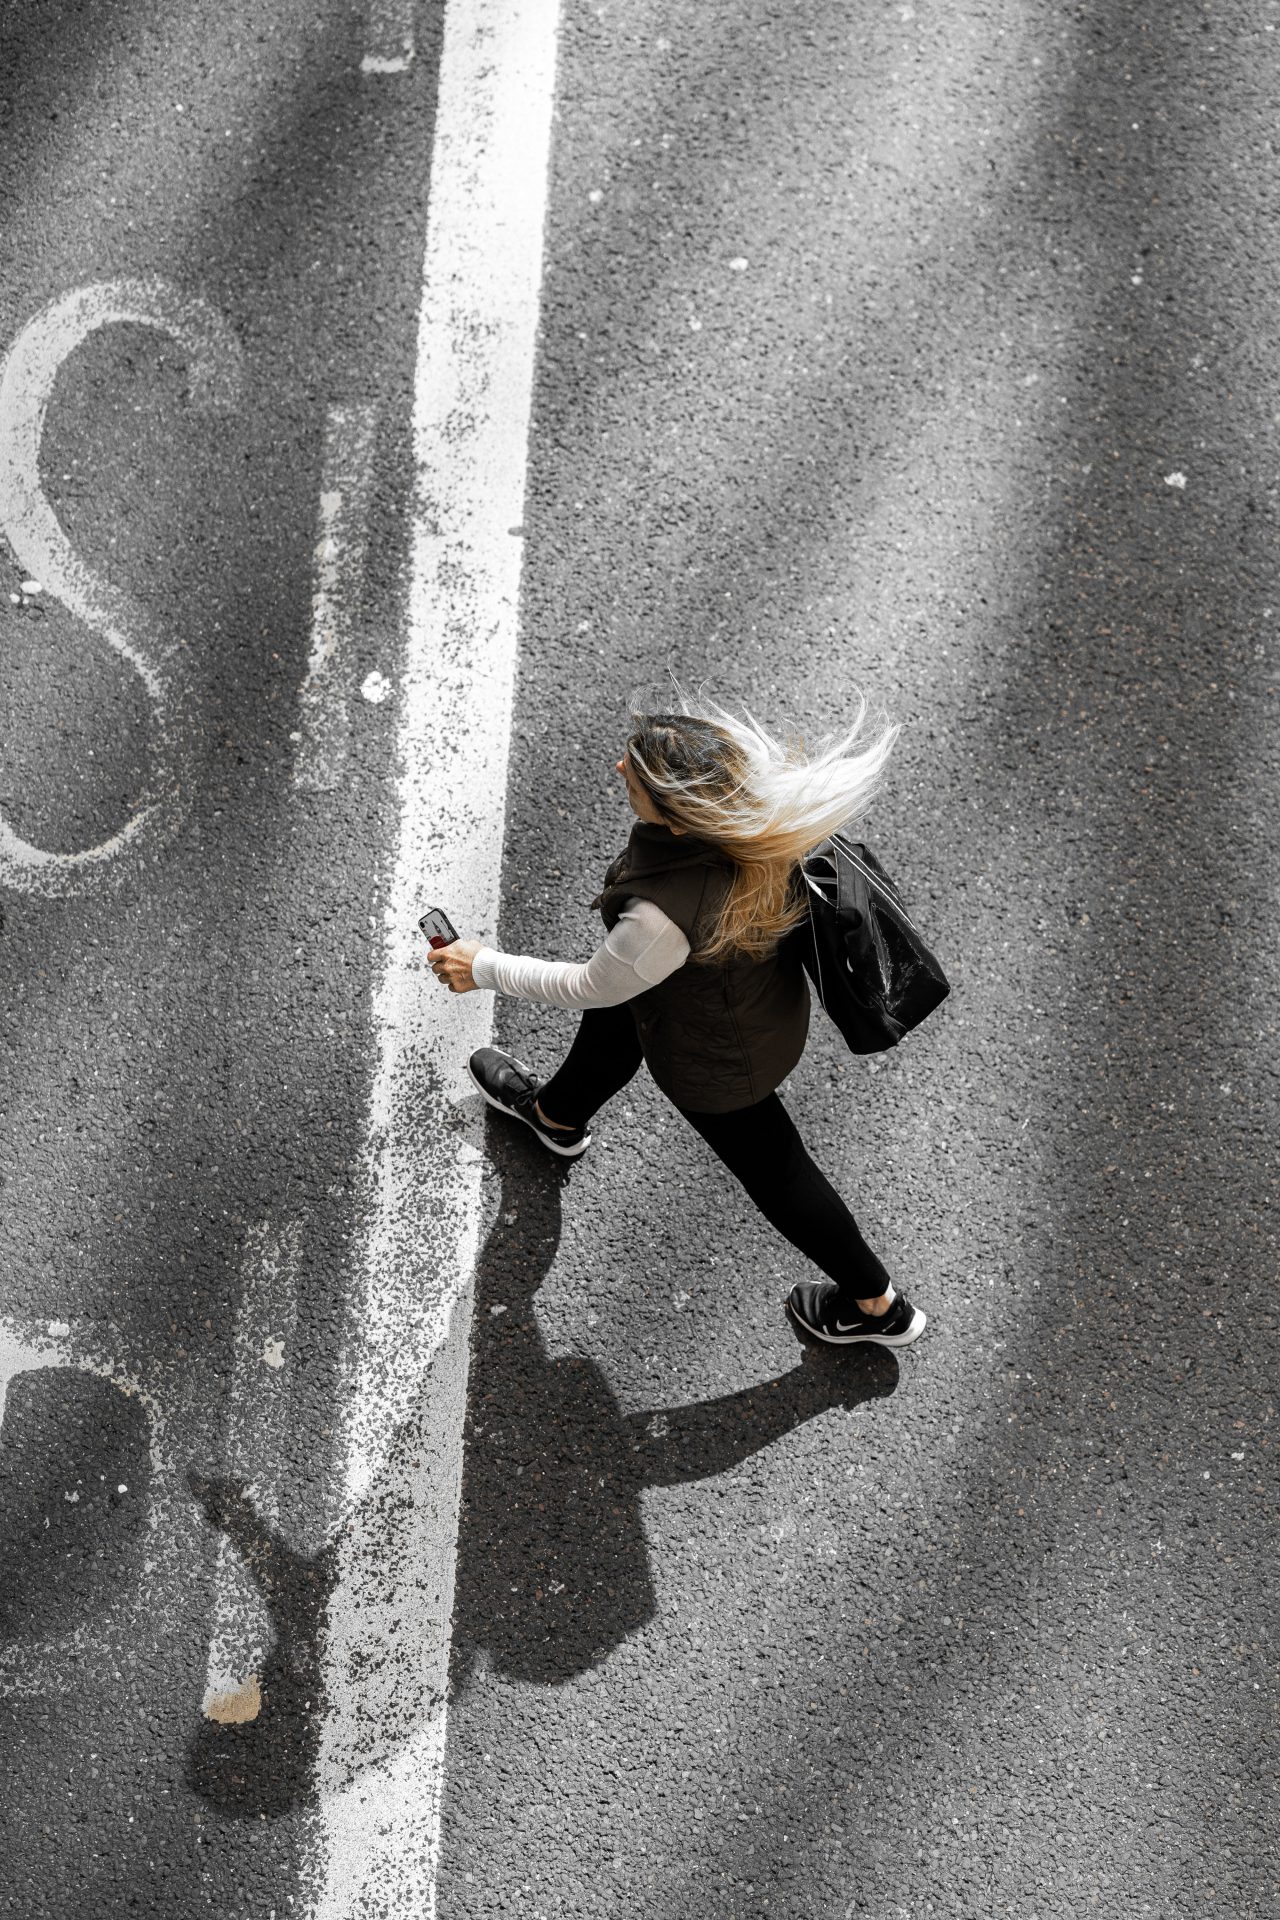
(256, 1445)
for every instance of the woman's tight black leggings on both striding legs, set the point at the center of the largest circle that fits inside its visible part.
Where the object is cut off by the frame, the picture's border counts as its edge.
(757, 1143)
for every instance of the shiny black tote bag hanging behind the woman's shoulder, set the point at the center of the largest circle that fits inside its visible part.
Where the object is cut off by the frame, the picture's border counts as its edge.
(863, 951)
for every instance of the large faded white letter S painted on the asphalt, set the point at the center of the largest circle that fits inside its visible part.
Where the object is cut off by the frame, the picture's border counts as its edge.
(41, 546)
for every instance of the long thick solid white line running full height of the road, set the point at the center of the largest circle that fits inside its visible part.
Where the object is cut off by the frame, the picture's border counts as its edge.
(389, 1629)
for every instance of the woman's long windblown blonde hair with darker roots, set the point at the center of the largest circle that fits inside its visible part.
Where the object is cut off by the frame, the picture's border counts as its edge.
(763, 804)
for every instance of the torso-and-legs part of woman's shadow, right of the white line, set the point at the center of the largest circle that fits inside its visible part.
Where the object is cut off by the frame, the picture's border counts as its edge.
(554, 1566)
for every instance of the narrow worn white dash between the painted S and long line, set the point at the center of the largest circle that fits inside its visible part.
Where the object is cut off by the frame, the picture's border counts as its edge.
(339, 567)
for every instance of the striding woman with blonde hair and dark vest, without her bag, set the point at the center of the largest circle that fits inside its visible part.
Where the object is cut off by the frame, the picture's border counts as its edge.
(694, 980)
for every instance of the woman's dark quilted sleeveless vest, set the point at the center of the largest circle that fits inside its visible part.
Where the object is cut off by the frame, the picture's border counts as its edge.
(723, 1036)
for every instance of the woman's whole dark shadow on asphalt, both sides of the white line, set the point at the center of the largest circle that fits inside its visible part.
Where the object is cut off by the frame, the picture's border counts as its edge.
(554, 1566)
